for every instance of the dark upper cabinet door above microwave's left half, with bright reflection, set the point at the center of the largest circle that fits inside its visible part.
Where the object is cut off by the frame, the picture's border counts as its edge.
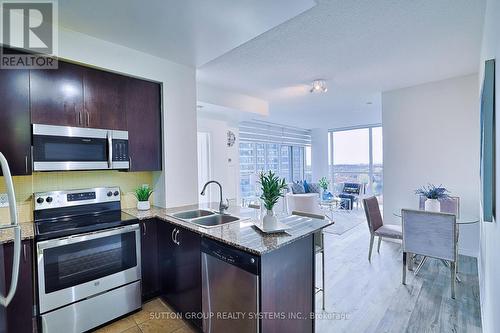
(57, 95)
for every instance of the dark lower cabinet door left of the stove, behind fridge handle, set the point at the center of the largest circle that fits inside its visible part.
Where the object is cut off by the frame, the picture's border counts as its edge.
(20, 317)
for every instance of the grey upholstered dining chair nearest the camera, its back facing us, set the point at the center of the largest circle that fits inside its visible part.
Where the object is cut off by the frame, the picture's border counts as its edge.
(432, 235)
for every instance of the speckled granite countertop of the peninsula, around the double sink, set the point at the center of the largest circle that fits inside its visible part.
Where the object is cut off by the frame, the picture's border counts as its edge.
(240, 234)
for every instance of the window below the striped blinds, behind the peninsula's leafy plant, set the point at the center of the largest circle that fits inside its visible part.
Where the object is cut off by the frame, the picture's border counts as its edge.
(286, 161)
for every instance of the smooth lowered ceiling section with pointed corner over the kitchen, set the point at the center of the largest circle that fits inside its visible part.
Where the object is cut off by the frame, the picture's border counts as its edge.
(190, 32)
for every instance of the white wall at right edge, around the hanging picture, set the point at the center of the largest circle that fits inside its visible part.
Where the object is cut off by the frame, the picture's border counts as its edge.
(489, 262)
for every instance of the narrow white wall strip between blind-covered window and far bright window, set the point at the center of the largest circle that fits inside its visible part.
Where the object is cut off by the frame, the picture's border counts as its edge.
(319, 153)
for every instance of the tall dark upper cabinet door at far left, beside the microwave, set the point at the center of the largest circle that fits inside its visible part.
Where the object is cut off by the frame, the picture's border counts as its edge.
(15, 128)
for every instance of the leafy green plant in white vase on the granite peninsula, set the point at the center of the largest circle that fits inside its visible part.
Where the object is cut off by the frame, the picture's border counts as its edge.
(272, 191)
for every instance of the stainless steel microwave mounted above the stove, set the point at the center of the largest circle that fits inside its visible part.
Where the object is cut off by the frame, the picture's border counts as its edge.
(60, 148)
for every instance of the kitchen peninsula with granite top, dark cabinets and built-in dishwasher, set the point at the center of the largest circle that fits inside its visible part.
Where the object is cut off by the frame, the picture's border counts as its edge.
(284, 268)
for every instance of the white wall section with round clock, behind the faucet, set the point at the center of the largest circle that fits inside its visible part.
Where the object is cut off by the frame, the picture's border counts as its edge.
(224, 160)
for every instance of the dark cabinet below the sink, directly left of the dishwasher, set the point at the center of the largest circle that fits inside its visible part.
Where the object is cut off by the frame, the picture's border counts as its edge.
(180, 269)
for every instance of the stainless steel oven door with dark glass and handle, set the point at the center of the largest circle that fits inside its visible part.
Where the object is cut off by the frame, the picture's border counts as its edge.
(74, 268)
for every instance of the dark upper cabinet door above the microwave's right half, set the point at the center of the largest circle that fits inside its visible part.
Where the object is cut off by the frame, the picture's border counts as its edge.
(104, 100)
